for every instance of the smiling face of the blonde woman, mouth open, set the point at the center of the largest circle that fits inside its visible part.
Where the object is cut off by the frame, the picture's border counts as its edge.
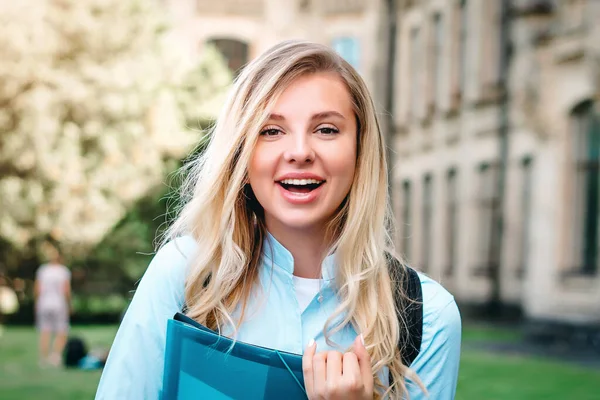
(305, 158)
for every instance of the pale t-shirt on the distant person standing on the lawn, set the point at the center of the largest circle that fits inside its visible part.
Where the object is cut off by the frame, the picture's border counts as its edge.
(51, 282)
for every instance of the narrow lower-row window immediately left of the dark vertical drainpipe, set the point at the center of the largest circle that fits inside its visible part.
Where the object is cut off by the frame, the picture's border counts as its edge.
(486, 203)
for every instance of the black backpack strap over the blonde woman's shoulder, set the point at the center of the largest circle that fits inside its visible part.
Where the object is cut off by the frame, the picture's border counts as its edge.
(411, 306)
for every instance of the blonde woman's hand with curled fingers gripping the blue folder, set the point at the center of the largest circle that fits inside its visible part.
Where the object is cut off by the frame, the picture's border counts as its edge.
(332, 375)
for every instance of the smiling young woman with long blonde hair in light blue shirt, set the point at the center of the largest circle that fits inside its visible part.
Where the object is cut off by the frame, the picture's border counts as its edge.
(282, 243)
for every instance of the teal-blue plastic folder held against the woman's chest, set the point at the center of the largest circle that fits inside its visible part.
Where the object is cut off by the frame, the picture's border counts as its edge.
(201, 364)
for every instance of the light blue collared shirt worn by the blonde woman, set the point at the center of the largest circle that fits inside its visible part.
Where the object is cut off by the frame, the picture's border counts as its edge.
(134, 368)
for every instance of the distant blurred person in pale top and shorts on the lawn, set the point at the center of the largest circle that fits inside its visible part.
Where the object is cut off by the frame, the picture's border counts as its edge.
(52, 309)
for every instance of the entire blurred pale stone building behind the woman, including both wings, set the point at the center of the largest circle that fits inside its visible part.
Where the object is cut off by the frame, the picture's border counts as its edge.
(495, 120)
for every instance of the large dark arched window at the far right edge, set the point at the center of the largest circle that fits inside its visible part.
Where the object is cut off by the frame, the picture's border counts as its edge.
(586, 139)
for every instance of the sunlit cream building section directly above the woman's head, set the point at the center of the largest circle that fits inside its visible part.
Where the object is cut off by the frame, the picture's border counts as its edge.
(243, 29)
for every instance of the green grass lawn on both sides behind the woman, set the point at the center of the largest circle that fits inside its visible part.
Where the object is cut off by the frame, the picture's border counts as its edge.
(483, 376)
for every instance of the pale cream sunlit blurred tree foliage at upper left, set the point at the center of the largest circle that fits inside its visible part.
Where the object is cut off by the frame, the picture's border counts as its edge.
(95, 95)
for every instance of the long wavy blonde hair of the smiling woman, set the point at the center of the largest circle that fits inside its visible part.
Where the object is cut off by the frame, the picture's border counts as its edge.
(224, 217)
